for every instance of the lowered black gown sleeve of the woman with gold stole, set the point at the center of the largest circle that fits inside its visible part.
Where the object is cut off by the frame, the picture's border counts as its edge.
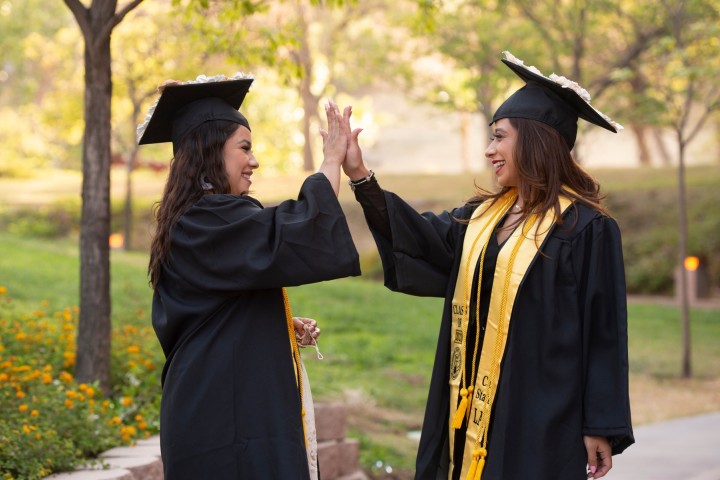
(601, 278)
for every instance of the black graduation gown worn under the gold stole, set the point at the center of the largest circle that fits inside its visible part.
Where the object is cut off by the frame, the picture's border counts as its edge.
(565, 369)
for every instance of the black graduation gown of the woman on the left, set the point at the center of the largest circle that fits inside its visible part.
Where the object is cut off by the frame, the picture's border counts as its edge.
(230, 406)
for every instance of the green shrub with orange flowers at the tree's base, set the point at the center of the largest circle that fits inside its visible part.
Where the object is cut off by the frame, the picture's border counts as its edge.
(48, 421)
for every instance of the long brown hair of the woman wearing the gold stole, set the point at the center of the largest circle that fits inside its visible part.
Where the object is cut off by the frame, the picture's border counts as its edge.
(546, 170)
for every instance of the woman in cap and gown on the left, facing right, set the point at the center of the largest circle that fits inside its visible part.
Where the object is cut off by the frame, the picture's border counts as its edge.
(234, 402)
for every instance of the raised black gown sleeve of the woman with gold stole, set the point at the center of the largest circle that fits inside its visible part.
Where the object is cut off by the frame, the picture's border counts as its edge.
(417, 250)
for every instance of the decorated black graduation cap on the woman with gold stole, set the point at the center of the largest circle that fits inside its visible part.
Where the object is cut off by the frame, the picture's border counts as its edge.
(554, 100)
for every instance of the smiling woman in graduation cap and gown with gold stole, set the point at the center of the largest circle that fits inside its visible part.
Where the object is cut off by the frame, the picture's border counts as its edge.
(530, 378)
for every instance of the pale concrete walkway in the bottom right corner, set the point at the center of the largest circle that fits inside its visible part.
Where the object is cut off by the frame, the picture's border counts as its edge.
(681, 449)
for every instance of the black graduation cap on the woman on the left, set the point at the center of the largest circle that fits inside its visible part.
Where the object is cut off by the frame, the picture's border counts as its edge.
(184, 106)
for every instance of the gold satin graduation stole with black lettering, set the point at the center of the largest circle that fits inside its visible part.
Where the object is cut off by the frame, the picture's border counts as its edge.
(477, 393)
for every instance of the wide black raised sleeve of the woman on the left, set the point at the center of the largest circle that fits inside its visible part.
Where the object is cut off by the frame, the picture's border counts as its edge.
(228, 243)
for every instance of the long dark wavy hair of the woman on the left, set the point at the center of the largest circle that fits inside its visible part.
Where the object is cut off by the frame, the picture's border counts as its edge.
(198, 161)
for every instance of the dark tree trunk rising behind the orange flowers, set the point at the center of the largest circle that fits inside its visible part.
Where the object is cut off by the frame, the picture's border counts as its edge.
(94, 331)
